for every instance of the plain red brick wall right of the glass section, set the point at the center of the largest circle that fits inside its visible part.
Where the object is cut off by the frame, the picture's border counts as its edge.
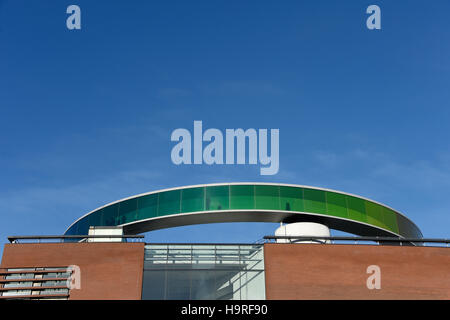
(314, 271)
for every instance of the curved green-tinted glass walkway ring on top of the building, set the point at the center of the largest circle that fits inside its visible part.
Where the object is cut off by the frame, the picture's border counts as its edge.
(248, 197)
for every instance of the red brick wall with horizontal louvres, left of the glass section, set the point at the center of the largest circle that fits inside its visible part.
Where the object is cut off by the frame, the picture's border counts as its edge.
(108, 270)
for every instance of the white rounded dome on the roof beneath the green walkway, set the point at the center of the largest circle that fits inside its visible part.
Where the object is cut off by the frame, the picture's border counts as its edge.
(303, 229)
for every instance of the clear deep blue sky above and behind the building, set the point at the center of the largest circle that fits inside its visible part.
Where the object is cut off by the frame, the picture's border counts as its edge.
(86, 115)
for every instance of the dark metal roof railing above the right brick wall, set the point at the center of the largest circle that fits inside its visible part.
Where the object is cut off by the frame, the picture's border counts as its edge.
(358, 240)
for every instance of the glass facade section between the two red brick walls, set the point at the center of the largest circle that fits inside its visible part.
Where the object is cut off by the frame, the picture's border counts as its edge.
(203, 271)
